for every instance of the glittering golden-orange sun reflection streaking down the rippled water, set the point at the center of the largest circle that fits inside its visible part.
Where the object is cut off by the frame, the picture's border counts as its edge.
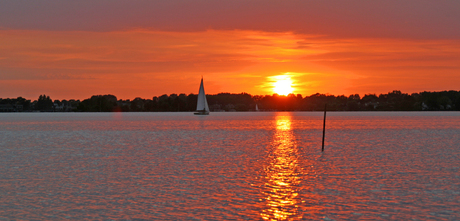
(283, 175)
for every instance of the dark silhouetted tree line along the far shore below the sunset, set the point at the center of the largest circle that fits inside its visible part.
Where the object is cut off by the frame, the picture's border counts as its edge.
(392, 101)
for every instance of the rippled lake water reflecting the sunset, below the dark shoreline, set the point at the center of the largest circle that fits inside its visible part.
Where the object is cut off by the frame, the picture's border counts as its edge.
(230, 166)
